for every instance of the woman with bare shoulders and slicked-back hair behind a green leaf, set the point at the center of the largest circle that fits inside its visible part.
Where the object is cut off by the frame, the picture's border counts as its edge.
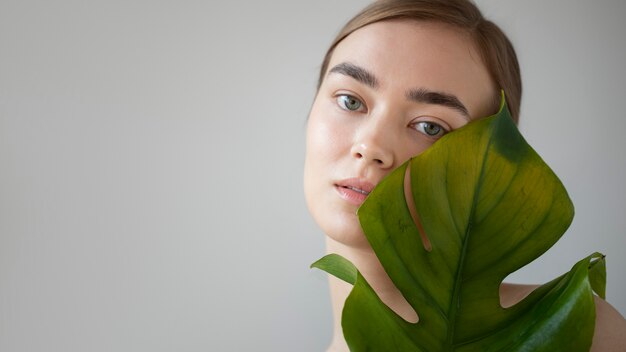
(400, 75)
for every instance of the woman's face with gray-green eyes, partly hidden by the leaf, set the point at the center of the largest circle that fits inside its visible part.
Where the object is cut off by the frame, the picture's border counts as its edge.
(391, 90)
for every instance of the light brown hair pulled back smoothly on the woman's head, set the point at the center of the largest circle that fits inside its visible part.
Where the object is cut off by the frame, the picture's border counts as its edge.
(494, 47)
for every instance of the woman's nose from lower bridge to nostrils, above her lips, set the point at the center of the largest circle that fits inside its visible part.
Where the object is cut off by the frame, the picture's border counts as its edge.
(373, 146)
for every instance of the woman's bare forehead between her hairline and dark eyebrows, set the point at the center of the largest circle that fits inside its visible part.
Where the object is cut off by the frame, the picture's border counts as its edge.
(410, 54)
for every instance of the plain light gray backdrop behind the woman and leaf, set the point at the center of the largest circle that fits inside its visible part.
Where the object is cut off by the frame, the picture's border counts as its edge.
(151, 156)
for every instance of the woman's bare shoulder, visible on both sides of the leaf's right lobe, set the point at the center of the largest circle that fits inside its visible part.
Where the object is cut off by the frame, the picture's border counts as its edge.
(610, 331)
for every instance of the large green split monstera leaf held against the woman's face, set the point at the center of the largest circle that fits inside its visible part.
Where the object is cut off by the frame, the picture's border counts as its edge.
(485, 205)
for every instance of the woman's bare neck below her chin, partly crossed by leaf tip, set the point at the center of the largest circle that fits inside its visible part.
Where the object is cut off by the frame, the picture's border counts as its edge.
(369, 266)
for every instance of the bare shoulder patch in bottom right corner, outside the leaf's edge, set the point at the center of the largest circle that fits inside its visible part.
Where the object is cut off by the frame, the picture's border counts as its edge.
(610, 333)
